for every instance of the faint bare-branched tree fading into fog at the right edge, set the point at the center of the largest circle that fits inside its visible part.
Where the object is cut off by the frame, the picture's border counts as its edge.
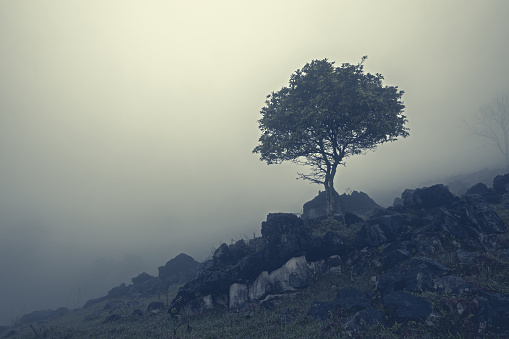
(492, 122)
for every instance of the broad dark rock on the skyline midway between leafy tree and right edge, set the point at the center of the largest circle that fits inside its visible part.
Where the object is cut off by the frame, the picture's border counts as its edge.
(428, 197)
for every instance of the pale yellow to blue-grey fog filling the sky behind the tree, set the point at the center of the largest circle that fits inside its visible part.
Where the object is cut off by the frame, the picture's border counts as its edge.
(126, 127)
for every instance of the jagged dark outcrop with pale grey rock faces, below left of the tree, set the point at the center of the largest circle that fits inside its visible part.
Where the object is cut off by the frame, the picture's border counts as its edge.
(288, 259)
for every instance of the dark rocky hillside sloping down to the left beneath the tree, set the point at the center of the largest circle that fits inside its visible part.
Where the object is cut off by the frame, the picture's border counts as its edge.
(432, 265)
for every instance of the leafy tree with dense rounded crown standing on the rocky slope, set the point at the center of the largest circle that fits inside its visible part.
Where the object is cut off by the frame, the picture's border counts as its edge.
(327, 114)
